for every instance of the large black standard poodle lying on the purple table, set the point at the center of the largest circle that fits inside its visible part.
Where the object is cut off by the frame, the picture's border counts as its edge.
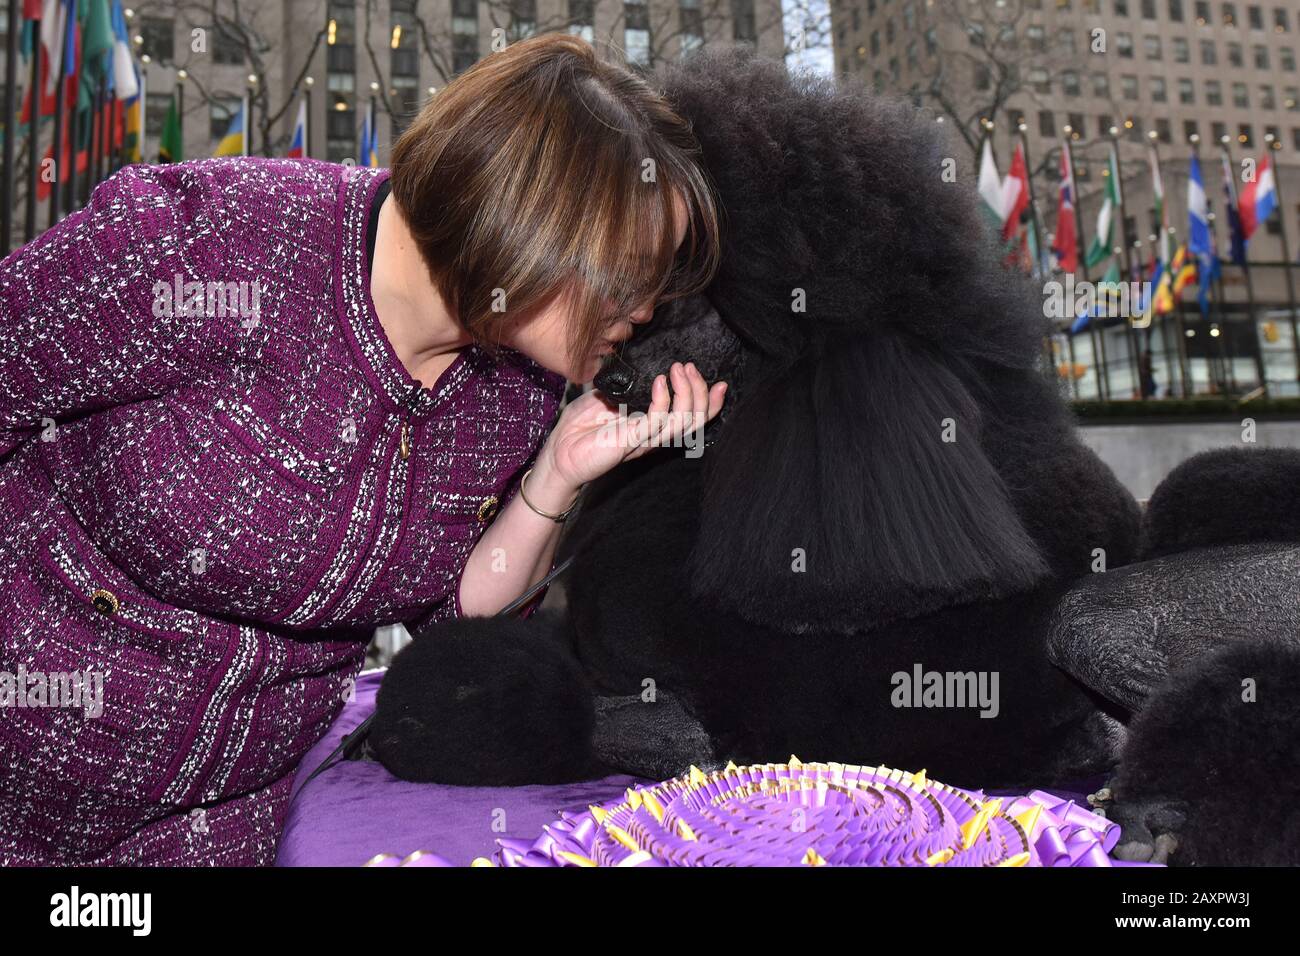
(887, 550)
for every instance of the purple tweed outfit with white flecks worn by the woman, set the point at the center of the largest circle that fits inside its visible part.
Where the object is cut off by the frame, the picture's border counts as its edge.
(216, 479)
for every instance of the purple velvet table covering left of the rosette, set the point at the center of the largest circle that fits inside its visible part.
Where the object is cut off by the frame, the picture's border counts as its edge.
(358, 810)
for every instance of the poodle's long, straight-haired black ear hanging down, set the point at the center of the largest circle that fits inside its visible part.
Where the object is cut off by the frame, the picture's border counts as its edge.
(852, 490)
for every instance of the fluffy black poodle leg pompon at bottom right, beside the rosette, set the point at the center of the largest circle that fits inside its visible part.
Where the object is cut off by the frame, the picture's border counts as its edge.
(1211, 771)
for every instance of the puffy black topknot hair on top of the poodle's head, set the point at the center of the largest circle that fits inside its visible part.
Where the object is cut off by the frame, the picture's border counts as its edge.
(837, 215)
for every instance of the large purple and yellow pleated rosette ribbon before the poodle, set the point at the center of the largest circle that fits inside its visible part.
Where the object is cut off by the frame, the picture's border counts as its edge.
(818, 815)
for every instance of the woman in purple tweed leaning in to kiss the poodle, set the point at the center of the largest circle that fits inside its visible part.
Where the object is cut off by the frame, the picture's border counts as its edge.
(232, 445)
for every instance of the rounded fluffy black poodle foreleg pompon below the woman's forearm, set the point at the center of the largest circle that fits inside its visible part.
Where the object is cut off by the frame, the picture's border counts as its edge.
(488, 702)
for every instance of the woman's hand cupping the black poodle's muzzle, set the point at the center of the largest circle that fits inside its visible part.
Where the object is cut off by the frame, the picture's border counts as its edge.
(592, 436)
